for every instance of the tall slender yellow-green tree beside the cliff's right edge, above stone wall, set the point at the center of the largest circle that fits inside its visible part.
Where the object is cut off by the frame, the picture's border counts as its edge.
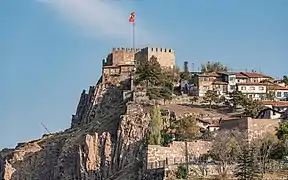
(155, 126)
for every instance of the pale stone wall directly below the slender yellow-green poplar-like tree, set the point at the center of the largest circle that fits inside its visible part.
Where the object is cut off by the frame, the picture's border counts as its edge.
(175, 153)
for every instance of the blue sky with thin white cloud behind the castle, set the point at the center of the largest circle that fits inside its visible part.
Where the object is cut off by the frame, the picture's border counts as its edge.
(51, 50)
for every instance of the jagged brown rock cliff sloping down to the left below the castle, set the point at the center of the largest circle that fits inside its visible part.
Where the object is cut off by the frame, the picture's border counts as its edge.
(110, 146)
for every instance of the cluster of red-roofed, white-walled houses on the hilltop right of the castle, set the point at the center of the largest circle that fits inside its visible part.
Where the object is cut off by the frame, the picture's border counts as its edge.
(253, 85)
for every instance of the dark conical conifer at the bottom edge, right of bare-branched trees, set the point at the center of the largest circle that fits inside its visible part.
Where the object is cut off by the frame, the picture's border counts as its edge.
(247, 167)
